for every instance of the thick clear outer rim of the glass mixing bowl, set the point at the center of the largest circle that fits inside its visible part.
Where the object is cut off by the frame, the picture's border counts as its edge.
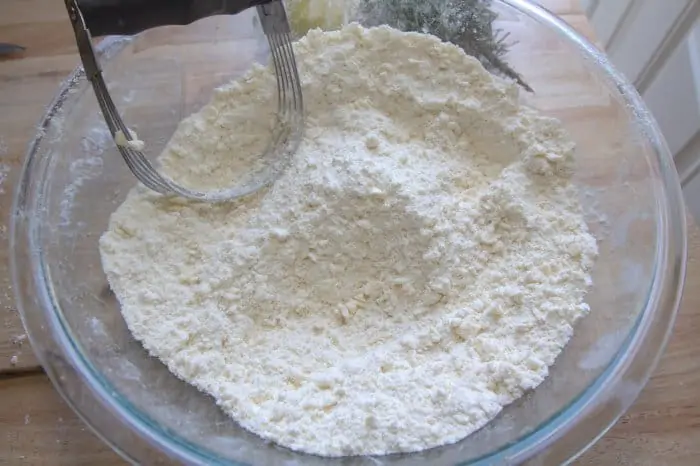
(597, 403)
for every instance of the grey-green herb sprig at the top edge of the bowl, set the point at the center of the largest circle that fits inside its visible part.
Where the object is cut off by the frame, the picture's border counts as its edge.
(466, 23)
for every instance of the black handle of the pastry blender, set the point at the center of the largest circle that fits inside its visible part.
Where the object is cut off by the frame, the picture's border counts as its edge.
(126, 17)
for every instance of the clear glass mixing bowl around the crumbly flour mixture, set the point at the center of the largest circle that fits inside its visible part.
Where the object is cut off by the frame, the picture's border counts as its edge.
(73, 178)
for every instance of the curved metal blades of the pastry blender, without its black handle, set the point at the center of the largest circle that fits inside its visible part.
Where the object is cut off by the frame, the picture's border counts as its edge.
(101, 17)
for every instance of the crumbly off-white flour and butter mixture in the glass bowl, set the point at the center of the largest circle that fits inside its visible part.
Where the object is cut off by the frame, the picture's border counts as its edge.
(418, 267)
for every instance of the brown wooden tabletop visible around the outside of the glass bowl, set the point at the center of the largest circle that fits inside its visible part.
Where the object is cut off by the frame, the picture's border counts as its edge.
(36, 426)
